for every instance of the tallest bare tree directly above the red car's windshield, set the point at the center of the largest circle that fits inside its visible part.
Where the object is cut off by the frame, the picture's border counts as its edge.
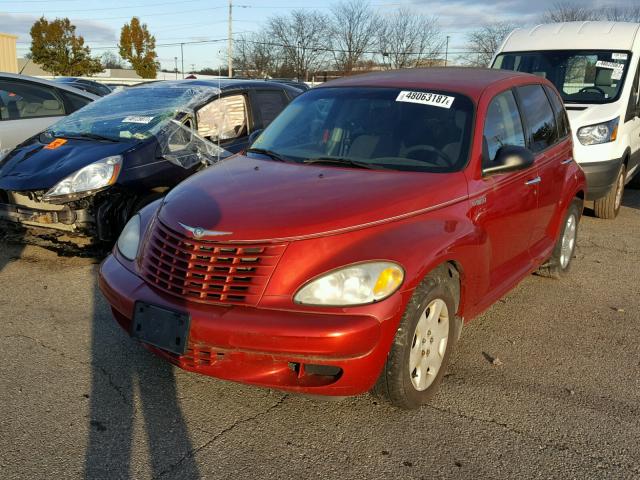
(353, 30)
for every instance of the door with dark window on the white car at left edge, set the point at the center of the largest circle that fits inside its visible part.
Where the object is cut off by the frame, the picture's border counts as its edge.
(26, 108)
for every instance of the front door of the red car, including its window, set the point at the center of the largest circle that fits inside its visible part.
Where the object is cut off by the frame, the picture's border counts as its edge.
(508, 207)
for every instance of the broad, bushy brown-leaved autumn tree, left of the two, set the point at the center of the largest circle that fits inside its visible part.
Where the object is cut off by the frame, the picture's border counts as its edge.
(56, 47)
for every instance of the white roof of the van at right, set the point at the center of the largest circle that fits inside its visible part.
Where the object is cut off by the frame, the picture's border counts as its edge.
(573, 36)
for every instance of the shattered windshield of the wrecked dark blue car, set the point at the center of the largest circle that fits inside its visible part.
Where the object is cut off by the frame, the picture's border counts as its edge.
(134, 113)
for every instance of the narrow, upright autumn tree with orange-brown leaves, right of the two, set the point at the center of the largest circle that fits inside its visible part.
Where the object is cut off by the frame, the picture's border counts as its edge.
(137, 46)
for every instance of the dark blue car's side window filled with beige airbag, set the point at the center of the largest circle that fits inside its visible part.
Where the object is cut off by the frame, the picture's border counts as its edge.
(224, 118)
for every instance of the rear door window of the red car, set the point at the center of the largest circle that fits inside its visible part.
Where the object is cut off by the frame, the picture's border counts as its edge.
(539, 117)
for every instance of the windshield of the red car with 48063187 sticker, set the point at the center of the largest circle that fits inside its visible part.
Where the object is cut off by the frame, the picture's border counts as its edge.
(414, 130)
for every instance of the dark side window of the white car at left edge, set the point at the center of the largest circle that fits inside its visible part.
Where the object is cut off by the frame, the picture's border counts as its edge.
(22, 100)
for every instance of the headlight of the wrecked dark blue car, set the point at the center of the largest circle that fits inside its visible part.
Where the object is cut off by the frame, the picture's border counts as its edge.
(95, 176)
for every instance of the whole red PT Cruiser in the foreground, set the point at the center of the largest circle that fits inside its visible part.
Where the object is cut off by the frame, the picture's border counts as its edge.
(344, 251)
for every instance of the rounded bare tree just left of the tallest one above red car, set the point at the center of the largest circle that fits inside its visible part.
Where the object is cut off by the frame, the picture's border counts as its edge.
(303, 37)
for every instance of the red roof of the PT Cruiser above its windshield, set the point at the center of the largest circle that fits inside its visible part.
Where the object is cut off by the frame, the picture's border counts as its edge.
(468, 81)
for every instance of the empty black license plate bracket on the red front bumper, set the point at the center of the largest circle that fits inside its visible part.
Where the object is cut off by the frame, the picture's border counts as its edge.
(161, 327)
